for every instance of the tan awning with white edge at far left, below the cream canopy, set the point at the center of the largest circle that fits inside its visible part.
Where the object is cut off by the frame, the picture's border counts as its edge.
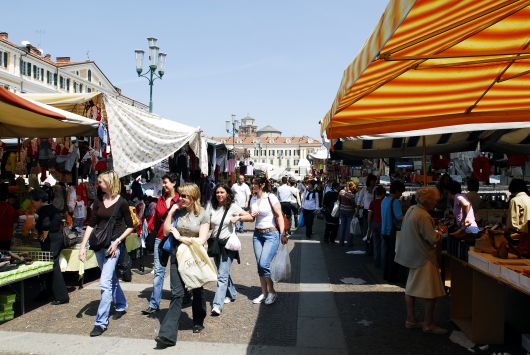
(20, 117)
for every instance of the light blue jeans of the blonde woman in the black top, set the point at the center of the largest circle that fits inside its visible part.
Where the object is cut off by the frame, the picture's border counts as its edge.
(110, 288)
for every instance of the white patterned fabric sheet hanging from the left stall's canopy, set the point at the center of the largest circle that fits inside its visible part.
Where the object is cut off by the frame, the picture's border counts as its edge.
(140, 139)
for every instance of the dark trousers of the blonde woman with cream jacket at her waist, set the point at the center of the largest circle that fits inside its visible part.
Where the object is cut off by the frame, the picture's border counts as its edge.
(170, 323)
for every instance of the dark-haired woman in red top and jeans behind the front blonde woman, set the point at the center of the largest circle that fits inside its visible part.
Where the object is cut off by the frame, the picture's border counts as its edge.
(156, 221)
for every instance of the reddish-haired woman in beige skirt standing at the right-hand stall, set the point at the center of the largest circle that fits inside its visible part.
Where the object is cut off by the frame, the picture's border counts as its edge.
(417, 251)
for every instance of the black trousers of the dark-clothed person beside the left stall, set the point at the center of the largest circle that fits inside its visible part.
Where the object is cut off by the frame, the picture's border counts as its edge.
(55, 281)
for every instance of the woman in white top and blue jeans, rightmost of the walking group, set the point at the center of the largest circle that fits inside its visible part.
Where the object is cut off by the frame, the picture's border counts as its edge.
(267, 235)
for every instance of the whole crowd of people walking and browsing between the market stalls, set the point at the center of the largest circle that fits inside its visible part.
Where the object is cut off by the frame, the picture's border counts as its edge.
(403, 244)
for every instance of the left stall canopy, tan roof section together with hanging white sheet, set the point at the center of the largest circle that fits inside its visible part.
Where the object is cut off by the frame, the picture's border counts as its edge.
(139, 139)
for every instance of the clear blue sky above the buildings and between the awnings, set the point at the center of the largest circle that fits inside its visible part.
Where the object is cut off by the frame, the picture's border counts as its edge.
(281, 62)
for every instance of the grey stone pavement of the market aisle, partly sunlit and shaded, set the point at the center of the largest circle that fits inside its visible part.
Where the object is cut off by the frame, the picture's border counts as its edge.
(316, 314)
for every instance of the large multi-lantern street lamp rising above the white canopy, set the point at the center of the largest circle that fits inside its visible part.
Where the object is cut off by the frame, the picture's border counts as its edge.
(156, 60)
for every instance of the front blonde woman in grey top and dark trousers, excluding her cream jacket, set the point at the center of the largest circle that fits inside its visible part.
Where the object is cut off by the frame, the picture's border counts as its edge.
(193, 222)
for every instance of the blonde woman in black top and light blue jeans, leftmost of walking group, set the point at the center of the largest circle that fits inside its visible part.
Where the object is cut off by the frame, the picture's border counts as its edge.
(113, 210)
